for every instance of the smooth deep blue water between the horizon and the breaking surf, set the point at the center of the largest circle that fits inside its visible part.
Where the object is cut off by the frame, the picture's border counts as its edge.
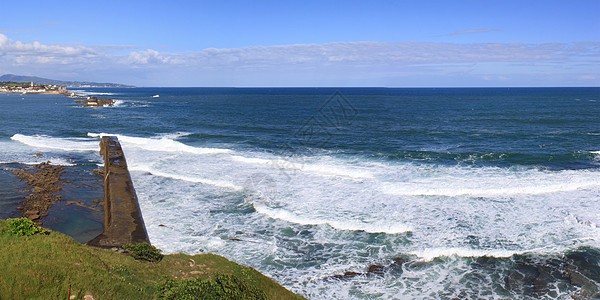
(551, 127)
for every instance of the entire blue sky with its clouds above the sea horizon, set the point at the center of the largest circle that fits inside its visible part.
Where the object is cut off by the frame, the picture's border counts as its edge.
(305, 43)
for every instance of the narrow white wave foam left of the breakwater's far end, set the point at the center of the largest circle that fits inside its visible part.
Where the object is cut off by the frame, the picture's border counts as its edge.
(65, 144)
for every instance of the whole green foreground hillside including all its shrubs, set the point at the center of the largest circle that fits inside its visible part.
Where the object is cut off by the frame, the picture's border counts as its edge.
(51, 265)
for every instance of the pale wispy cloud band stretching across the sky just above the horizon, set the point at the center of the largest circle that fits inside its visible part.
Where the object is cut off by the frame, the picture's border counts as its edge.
(351, 63)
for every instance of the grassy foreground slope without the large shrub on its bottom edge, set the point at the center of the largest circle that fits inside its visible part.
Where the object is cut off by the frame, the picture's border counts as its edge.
(43, 267)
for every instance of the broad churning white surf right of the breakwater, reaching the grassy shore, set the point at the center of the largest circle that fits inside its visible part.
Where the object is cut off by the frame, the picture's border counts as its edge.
(343, 214)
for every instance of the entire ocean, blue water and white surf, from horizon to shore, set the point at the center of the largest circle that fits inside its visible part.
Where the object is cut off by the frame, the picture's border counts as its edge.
(345, 193)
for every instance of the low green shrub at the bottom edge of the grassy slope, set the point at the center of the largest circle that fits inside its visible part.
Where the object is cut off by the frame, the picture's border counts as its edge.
(221, 287)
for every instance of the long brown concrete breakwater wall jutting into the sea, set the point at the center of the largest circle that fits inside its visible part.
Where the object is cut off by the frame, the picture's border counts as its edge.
(123, 221)
